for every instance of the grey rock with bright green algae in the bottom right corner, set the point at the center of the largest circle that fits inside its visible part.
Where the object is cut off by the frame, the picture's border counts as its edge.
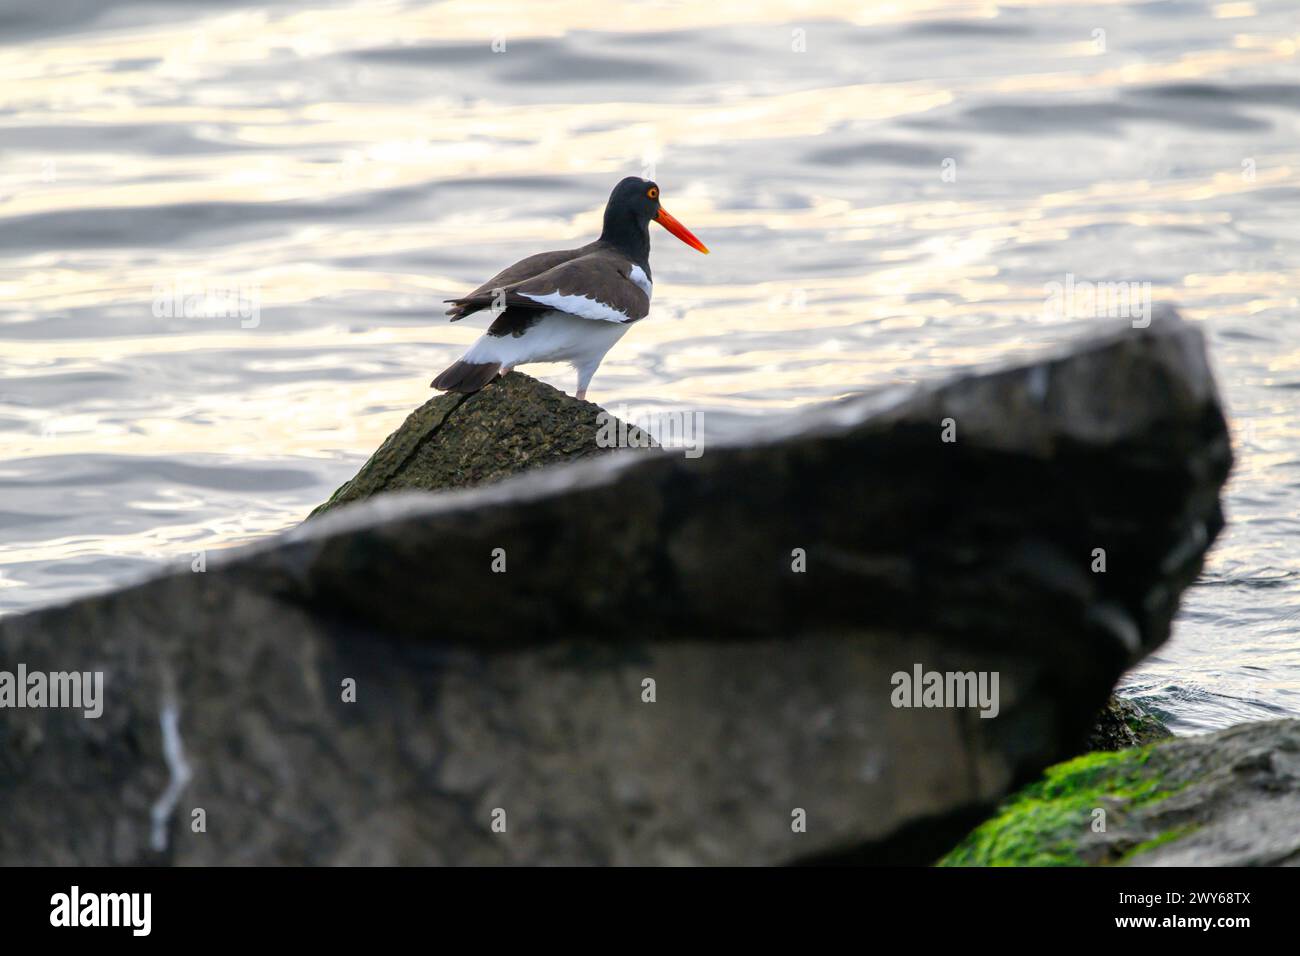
(1227, 799)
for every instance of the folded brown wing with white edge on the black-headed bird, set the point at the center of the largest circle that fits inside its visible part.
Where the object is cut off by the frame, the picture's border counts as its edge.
(595, 285)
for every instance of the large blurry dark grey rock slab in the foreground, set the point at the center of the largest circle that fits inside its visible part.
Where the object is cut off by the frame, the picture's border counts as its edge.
(521, 695)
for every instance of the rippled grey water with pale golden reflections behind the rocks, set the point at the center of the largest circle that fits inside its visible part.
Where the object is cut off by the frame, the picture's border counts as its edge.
(346, 167)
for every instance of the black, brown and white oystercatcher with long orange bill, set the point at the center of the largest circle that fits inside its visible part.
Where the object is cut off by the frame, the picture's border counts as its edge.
(569, 306)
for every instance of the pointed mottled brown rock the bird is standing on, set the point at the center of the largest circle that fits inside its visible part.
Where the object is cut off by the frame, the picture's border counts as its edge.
(460, 442)
